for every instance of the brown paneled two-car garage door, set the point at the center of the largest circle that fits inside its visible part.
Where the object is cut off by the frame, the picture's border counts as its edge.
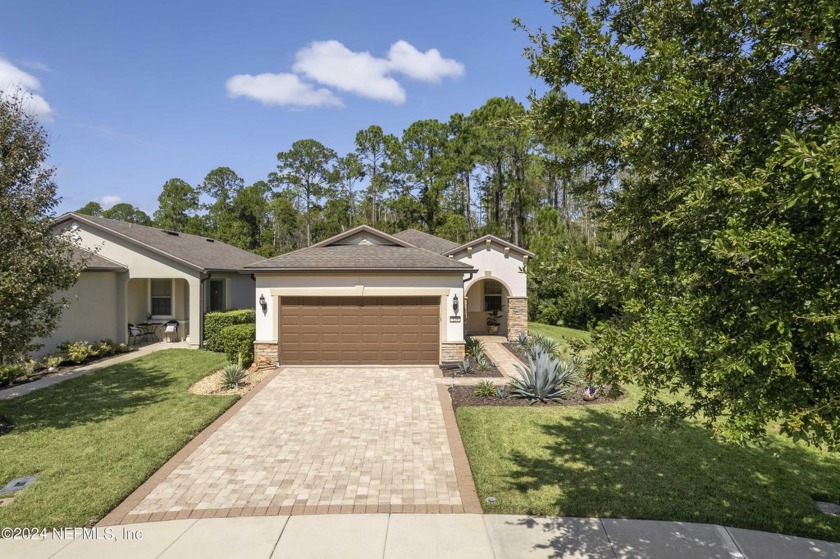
(359, 330)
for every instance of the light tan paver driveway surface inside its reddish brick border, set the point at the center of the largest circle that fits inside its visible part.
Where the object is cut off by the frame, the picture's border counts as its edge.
(320, 440)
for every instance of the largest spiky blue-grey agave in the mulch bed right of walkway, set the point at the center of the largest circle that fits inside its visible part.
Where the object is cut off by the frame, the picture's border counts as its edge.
(546, 378)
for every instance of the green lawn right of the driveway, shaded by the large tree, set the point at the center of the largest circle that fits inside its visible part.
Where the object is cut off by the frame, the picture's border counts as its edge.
(588, 461)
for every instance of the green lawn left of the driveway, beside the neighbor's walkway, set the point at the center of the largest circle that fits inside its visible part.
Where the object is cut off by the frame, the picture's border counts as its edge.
(93, 440)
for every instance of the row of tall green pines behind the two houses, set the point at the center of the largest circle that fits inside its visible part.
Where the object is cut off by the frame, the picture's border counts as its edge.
(484, 172)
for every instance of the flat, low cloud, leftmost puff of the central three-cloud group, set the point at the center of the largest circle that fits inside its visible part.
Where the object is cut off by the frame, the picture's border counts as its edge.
(280, 89)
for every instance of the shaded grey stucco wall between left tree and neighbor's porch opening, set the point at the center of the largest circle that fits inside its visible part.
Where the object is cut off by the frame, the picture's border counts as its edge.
(92, 314)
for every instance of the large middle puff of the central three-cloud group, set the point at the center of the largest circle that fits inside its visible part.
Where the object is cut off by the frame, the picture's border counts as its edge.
(333, 64)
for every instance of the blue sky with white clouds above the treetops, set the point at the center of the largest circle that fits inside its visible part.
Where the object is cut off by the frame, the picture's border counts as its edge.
(133, 94)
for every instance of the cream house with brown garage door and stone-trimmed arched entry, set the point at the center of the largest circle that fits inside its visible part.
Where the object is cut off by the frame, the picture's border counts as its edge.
(366, 297)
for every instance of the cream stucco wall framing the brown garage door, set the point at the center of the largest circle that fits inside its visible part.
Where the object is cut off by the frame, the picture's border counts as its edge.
(273, 286)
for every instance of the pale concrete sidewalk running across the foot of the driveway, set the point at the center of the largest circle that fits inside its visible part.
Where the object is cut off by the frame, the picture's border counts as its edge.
(406, 536)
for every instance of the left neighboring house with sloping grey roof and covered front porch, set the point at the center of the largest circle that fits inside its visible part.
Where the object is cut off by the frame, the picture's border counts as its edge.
(136, 273)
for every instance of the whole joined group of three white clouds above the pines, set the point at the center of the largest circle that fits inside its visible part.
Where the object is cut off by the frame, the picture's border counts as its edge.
(332, 64)
